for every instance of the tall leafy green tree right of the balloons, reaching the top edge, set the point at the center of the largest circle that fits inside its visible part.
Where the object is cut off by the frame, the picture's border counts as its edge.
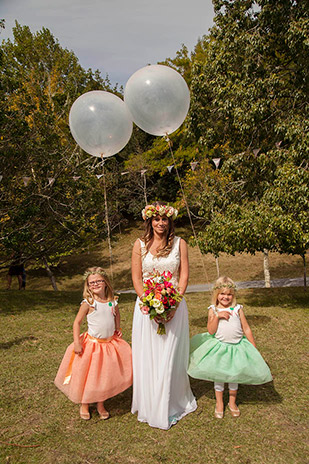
(250, 97)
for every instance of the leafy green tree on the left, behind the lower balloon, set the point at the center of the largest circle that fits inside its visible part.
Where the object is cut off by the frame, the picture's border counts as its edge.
(54, 214)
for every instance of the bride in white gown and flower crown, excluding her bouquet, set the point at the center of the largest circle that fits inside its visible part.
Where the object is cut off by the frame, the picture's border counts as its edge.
(161, 389)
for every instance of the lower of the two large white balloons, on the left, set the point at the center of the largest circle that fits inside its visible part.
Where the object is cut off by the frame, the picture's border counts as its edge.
(100, 123)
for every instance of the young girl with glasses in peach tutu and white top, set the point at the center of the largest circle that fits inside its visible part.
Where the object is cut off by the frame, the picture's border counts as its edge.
(98, 364)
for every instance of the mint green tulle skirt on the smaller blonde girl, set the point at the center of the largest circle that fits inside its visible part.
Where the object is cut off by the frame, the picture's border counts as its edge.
(213, 360)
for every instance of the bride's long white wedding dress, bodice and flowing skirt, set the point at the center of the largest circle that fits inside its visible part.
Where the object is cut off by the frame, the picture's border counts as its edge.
(161, 388)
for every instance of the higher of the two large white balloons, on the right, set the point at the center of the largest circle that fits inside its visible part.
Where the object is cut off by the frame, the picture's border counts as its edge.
(158, 99)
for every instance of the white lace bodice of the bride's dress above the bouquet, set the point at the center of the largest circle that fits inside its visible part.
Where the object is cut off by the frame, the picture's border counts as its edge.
(163, 263)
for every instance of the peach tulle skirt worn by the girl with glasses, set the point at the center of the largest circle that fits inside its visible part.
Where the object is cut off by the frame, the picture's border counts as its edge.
(103, 370)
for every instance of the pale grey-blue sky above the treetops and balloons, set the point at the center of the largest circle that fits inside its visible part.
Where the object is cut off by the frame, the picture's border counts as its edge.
(118, 37)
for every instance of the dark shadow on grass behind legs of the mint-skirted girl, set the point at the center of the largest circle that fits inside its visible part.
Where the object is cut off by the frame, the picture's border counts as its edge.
(246, 394)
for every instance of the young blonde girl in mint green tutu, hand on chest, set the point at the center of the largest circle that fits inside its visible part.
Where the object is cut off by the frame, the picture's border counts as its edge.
(227, 352)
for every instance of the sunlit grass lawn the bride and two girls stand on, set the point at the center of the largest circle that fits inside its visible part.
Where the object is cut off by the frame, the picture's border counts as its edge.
(39, 425)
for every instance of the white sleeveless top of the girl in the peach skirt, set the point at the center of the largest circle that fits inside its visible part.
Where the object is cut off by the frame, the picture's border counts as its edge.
(101, 322)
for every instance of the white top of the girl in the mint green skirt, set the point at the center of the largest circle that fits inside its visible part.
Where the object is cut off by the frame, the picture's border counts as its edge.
(229, 331)
